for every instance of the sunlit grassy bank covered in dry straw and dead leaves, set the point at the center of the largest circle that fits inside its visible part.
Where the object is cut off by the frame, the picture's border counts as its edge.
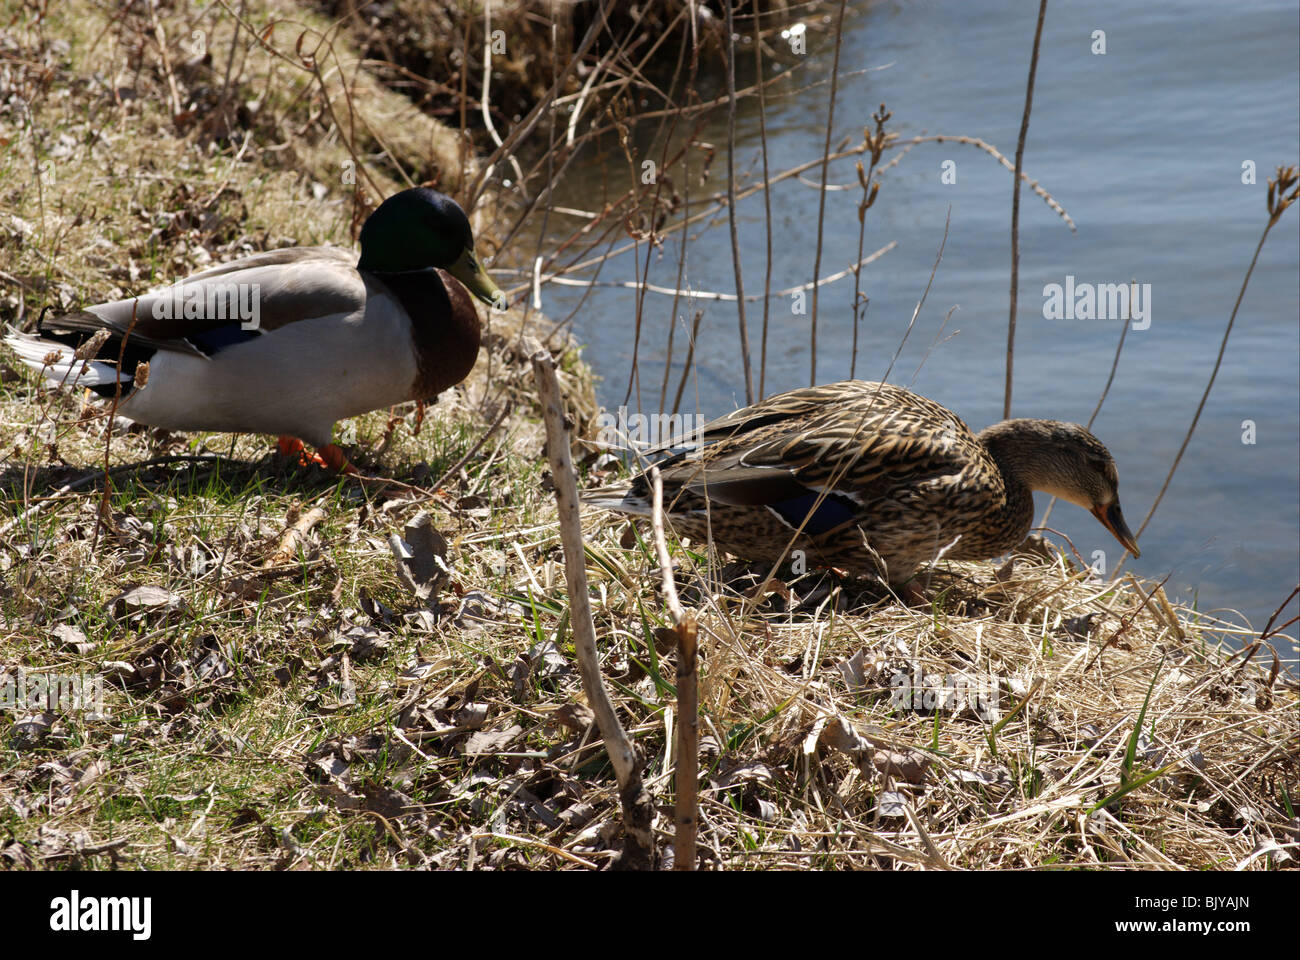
(287, 700)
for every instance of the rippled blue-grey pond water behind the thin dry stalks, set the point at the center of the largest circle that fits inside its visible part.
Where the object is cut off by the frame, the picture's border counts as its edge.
(1143, 146)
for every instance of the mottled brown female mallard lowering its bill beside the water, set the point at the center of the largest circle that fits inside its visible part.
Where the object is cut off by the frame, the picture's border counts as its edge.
(873, 479)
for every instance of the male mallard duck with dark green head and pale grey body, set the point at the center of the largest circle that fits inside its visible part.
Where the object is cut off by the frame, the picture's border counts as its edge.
(289, 341)
